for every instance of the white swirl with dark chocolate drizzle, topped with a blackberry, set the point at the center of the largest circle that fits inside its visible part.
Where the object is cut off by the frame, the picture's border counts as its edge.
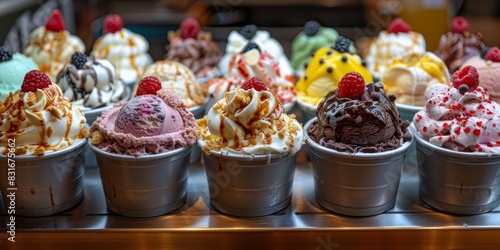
(91, 83)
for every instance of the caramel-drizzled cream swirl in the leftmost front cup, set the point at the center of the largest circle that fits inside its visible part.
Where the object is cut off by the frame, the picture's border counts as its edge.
(40, 121)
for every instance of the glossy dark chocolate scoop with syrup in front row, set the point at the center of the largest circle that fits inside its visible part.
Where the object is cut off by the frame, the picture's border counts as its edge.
(369, 123)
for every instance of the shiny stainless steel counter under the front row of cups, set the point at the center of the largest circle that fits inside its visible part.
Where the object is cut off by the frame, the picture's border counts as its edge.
(302, 225)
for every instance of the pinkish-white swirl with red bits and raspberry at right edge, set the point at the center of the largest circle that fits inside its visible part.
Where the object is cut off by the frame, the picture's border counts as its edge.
(461, 117)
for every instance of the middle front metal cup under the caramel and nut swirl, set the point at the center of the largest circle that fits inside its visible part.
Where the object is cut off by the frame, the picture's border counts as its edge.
(249, 185)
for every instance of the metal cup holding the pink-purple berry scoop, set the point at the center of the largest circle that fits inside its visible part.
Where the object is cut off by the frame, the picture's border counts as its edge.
(144, 186)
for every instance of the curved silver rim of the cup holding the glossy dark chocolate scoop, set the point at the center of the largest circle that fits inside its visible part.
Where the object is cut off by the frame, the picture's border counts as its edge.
(357, 155)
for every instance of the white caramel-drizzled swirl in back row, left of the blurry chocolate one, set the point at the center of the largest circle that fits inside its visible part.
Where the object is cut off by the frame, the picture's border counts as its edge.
(127, 50)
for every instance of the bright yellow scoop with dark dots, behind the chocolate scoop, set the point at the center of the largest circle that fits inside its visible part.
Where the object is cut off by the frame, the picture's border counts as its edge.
(324, 71)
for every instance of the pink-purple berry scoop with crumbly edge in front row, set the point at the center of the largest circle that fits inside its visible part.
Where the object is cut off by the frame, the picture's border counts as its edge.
(147, 124)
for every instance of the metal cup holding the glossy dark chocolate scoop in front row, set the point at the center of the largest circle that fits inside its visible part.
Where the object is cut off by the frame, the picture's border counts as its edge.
(360, 184)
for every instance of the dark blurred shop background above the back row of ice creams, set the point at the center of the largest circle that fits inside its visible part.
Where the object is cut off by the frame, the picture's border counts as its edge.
(356, 19)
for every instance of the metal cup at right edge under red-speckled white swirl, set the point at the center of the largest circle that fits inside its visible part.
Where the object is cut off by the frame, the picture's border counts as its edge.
(457, 182)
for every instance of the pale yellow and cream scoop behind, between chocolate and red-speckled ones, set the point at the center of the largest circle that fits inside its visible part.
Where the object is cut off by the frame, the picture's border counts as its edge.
(408, 77)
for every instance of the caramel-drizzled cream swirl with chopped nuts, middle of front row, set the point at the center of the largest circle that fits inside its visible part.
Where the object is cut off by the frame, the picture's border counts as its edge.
(249, 122)
